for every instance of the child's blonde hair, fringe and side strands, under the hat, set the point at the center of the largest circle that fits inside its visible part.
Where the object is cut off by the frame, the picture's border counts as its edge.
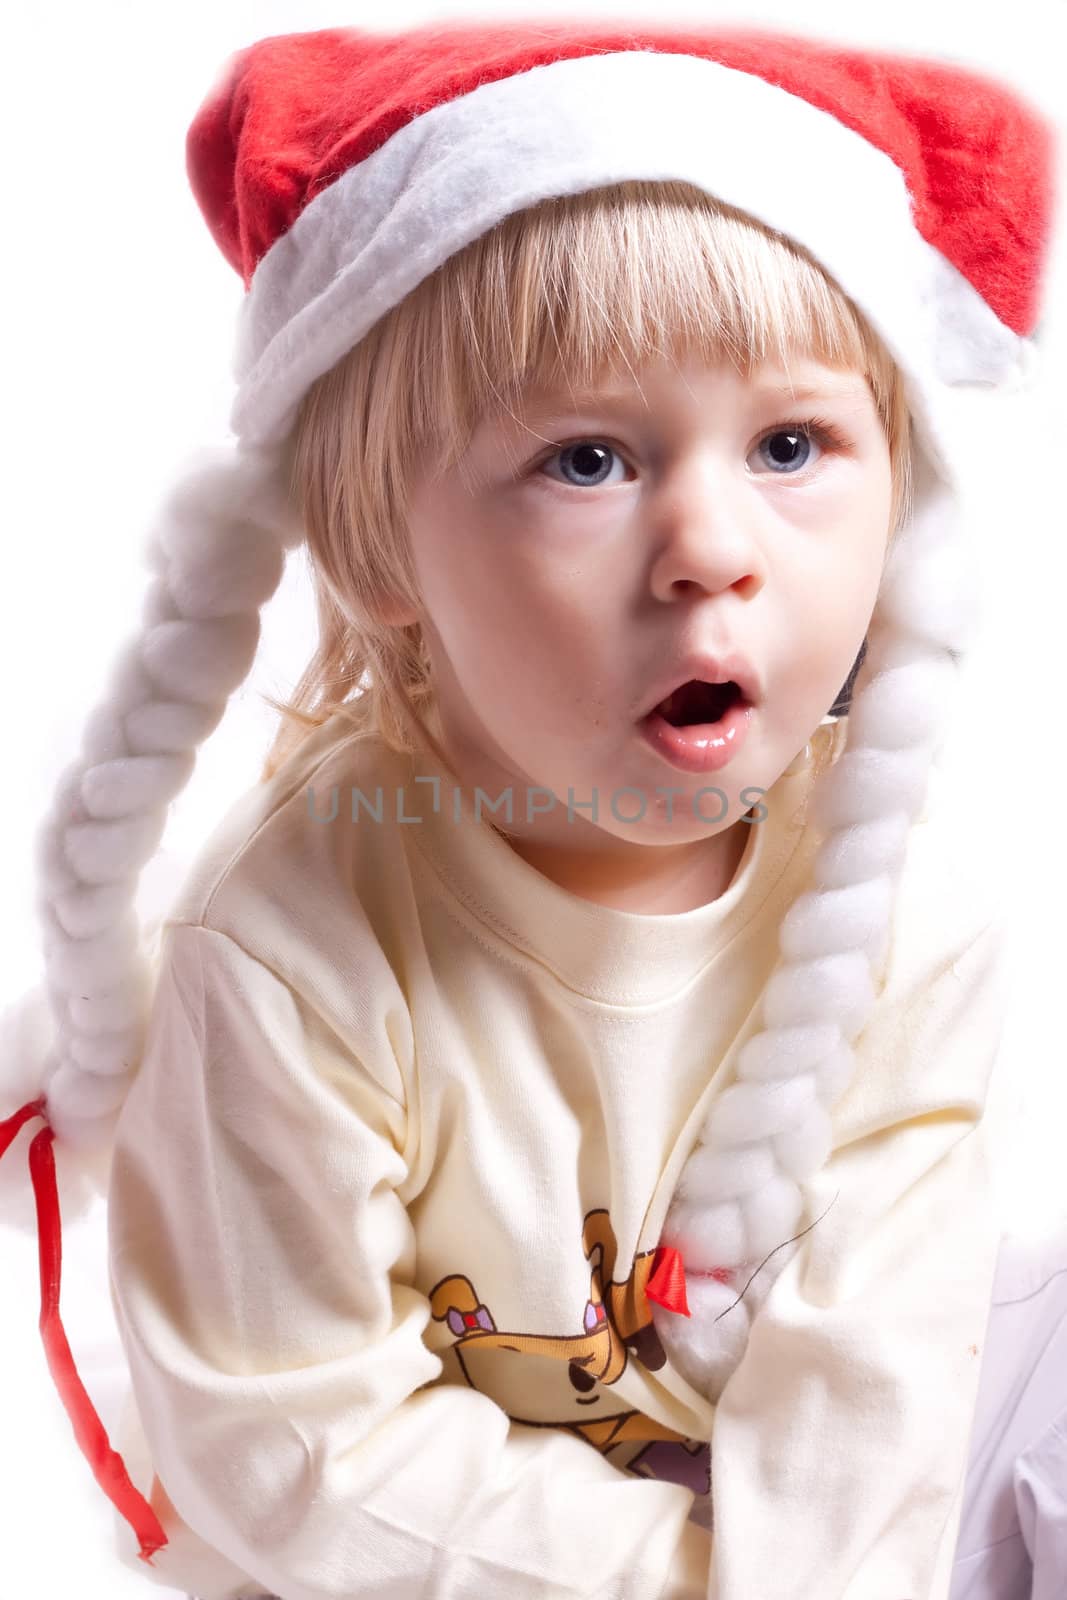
(565, 292)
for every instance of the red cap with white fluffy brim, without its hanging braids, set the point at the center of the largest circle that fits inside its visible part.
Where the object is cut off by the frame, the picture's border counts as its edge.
(921, 188)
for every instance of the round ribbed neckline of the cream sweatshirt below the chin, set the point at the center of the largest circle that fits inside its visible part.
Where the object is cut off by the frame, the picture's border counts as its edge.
(605, 954)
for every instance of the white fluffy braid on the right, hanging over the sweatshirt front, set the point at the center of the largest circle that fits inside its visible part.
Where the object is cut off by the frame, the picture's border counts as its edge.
(740, 1194)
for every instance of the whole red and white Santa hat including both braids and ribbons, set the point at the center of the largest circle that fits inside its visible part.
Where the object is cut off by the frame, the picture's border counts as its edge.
(337, 170)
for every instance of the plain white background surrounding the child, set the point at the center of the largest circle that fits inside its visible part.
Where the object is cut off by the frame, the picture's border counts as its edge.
(119, 327)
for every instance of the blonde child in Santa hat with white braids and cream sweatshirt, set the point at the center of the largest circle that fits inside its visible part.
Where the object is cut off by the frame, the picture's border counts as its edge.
(548, 1140)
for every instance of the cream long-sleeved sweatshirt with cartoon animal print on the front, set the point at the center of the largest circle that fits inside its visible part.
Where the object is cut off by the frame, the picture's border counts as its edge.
(390, 1183)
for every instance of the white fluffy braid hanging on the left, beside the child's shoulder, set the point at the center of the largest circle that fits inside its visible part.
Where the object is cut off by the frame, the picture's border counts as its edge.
(218, 553)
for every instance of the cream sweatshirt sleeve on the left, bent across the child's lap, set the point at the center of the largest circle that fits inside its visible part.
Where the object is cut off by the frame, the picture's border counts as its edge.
(262, 1271)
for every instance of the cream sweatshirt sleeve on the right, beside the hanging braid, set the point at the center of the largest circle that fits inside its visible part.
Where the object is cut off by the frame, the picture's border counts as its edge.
(845, 1433)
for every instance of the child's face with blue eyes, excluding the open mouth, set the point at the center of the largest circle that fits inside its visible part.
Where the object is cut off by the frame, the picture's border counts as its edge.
(559, 601)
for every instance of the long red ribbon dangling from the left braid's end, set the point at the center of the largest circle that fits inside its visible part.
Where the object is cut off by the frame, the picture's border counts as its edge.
(108, 1465)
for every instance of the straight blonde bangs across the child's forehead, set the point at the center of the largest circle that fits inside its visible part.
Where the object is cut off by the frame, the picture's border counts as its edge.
(588, 289)
